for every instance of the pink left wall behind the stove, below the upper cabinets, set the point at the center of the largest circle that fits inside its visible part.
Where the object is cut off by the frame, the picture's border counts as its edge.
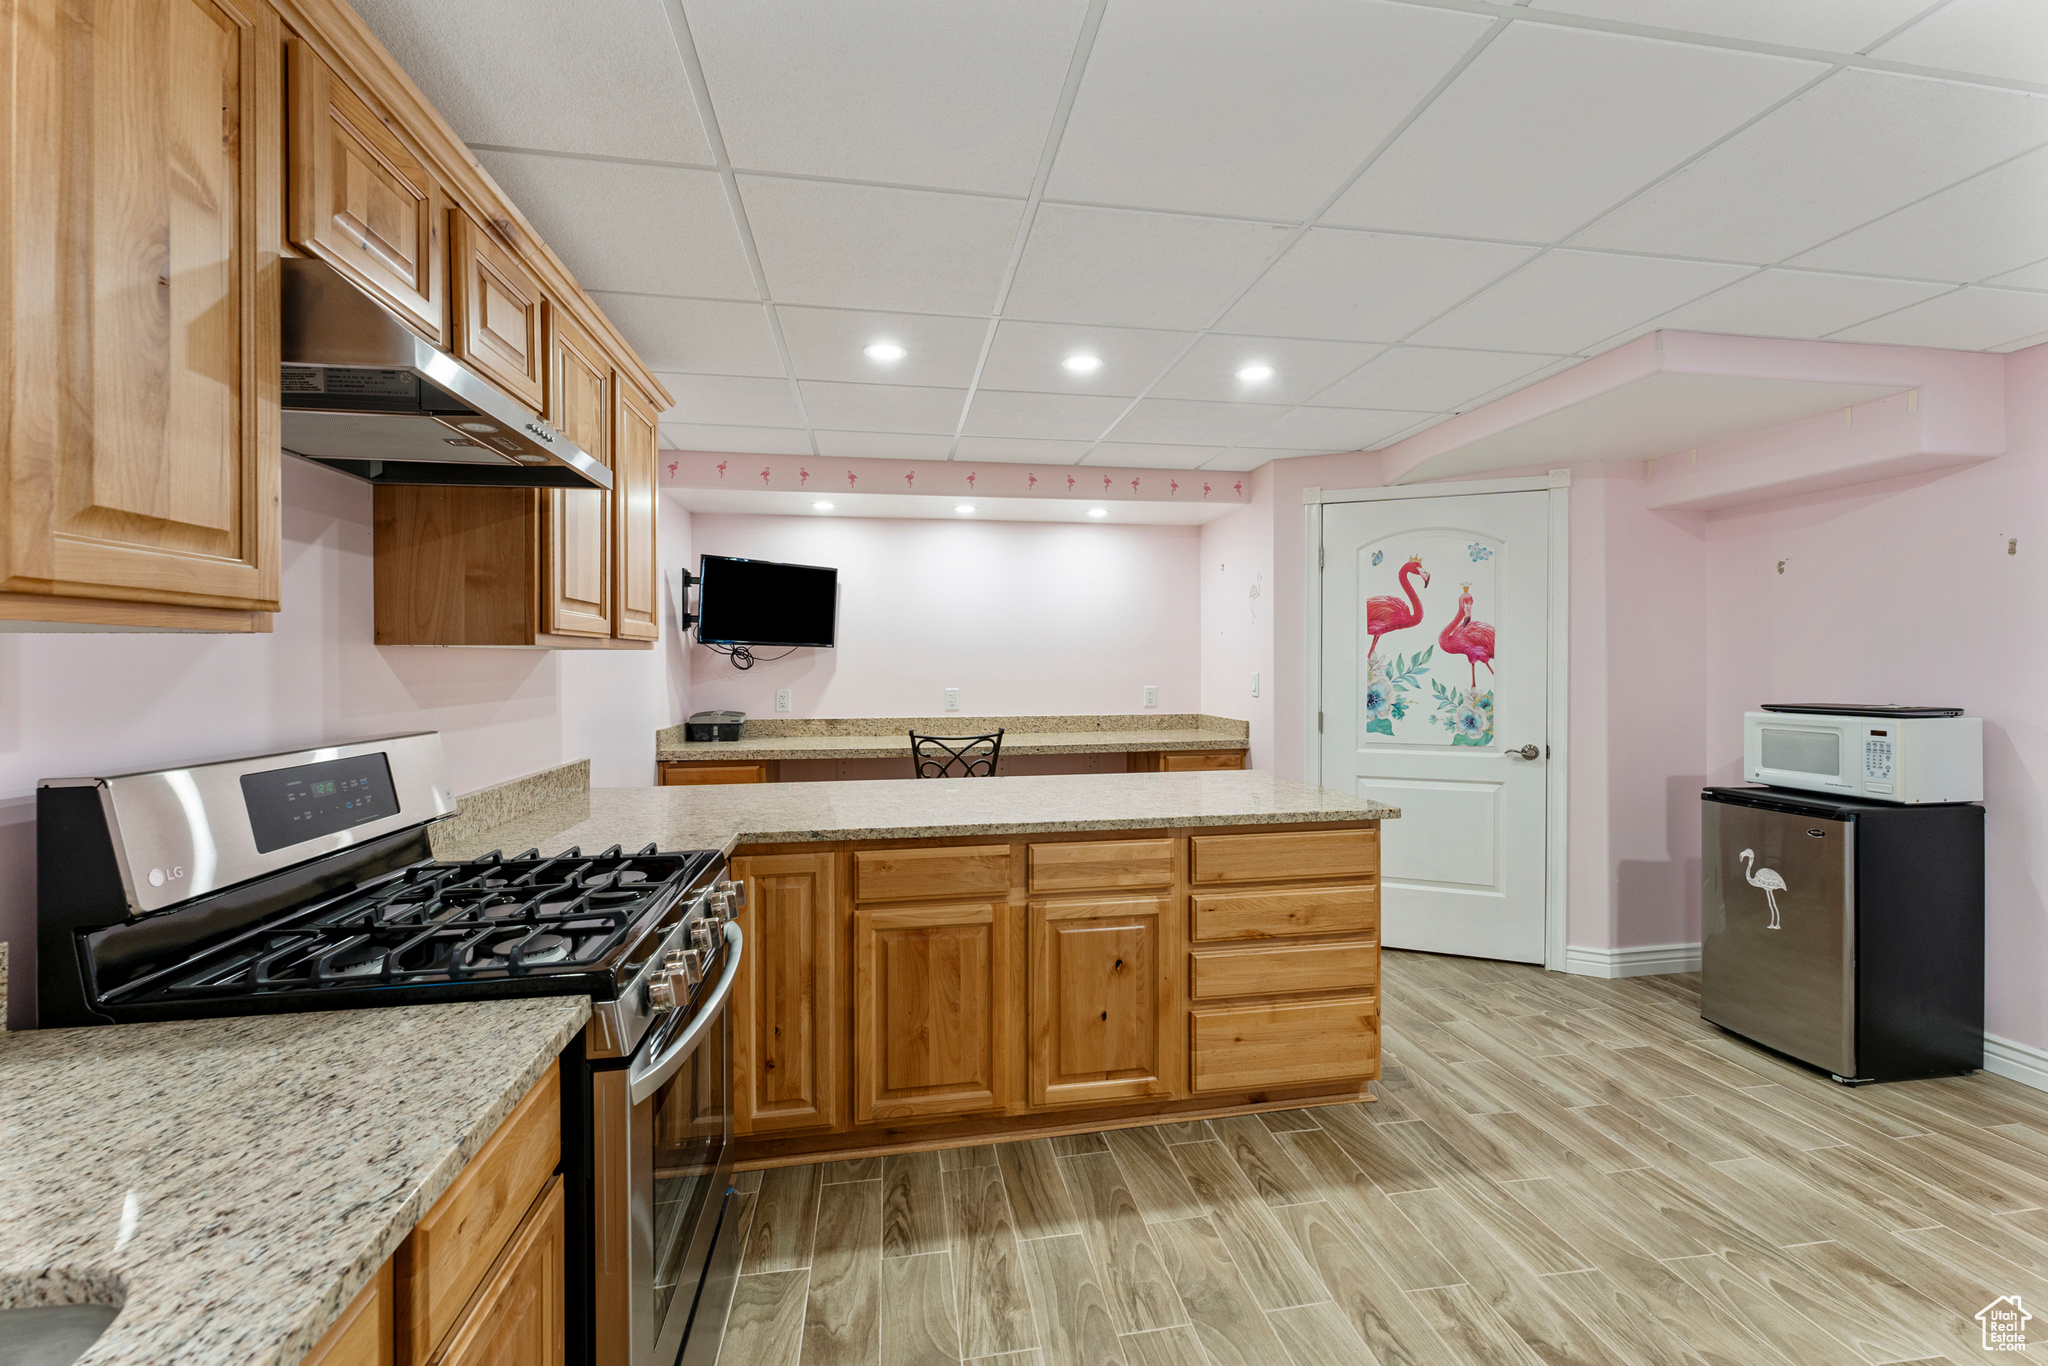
(108, 703)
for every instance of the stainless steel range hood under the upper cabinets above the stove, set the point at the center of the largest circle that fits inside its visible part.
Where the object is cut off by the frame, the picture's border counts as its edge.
(364, 394)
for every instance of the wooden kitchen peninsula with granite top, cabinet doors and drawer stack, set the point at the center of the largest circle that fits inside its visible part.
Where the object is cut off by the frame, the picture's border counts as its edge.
(945, 964)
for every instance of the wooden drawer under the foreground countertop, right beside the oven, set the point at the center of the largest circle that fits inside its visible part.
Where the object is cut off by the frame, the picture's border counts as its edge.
(450, 1252)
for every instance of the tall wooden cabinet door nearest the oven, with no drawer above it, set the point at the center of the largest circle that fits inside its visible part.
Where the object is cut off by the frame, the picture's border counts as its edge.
(787, 1058)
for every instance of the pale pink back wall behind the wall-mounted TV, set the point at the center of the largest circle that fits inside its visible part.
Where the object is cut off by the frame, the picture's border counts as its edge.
(1023, 617)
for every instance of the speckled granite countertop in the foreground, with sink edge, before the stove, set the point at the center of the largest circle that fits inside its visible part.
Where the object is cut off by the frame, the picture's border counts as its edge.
(237, 1183)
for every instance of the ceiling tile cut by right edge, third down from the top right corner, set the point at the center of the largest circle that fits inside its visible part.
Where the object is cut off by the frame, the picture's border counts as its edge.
(1969, 232)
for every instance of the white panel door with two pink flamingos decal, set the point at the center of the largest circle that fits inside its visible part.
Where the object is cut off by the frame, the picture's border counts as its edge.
(1437, 701)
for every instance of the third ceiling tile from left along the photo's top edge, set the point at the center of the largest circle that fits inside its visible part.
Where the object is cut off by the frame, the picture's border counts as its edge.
(1254, 112)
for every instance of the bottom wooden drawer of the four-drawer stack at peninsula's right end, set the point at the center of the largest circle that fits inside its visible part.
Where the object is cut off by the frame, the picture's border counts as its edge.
(1263, 1048)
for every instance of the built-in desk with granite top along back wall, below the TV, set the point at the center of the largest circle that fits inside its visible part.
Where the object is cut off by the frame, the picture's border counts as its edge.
(824, 749)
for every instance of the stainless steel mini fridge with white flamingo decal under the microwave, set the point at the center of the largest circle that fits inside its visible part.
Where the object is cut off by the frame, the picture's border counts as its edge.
(1848, 935)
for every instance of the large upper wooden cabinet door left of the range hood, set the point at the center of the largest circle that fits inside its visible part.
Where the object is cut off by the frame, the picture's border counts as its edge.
(142, 314)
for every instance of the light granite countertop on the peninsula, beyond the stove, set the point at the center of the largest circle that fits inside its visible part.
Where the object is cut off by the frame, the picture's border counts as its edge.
(722, 818)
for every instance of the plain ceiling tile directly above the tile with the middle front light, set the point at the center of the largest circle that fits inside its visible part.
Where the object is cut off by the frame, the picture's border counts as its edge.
(1136, 269)
